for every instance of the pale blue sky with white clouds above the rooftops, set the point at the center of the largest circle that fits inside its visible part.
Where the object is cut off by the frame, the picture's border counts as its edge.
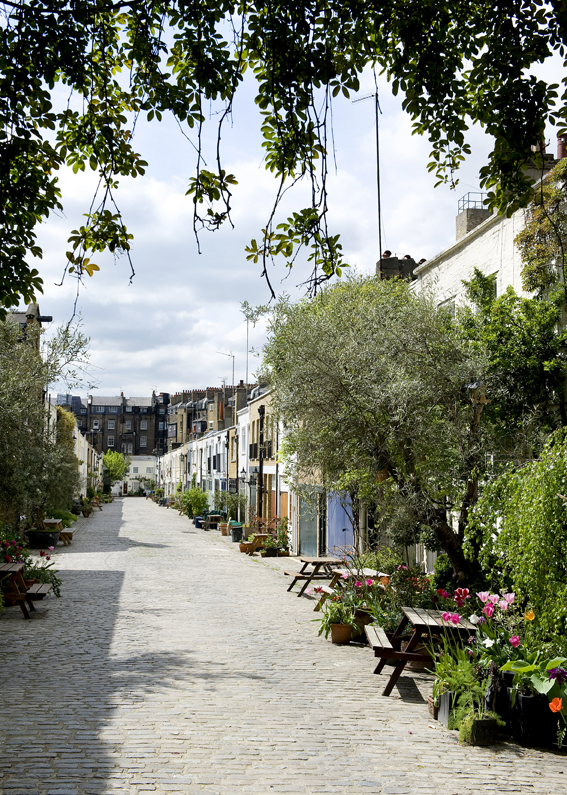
(168, 329)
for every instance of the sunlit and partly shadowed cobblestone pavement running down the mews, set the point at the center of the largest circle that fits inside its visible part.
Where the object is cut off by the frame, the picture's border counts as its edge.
(174, 664)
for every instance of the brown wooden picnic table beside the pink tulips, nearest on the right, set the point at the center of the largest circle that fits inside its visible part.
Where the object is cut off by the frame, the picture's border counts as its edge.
(426, 625)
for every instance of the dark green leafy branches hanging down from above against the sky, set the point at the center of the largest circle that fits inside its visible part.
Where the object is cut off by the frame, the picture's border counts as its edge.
(454, 63)
